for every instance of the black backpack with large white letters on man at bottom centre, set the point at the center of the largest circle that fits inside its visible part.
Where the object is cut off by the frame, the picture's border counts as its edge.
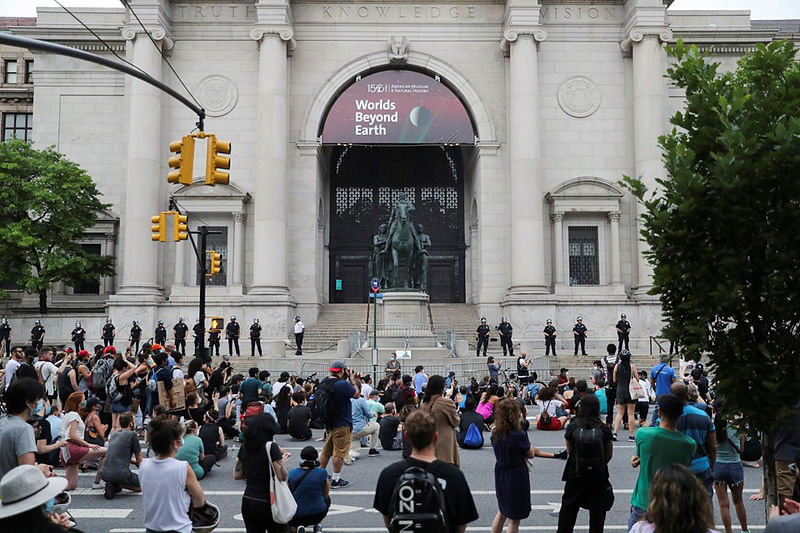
(418, 503)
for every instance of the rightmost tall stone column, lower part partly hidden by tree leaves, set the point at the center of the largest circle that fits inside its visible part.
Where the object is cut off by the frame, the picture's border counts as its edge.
(649, 95)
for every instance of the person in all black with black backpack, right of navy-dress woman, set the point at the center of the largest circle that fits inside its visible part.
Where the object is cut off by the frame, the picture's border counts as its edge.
(586, 478)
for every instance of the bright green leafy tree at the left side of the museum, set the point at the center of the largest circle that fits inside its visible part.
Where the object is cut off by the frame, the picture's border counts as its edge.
(46, 204)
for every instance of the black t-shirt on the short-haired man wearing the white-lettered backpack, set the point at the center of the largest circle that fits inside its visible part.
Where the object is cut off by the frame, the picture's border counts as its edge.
(458, 498)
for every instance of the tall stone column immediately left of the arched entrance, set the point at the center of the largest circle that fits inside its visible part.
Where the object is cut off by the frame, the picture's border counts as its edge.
(271, 192)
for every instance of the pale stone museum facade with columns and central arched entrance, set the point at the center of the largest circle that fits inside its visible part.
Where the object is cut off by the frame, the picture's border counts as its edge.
(532, 112)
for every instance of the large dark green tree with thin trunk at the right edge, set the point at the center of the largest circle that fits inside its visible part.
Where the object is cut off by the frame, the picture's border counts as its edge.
(724, 231)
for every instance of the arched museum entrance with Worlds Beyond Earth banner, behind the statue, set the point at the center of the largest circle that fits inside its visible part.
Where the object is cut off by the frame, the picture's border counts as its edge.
(394, 132)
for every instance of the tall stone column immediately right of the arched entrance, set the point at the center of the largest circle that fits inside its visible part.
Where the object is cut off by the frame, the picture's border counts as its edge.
(526, 198)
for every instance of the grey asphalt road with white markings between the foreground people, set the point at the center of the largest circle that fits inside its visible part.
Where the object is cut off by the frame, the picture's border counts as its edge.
(352, 506)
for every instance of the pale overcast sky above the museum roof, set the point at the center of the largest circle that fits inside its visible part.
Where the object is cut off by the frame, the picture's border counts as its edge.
(760, 9)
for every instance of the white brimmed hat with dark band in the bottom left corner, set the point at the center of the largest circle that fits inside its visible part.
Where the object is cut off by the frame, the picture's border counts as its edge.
(24, 488)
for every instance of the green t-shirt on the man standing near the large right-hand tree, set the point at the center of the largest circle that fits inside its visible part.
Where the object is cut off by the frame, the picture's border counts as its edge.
(658, 447)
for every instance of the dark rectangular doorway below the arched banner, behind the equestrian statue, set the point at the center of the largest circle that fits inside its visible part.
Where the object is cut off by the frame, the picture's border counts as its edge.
(365, 182)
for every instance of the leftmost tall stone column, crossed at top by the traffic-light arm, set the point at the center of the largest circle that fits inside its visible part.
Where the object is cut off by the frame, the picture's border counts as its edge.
(139, 265)
